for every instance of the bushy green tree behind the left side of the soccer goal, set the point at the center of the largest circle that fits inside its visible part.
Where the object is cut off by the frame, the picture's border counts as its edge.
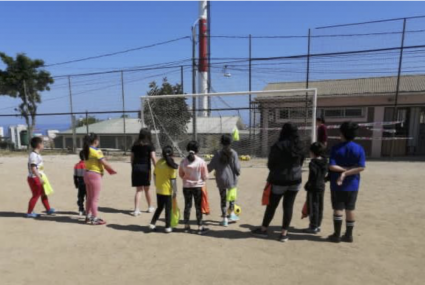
(169, 116)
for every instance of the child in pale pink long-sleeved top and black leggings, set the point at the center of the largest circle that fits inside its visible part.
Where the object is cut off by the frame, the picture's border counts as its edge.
(194, 172)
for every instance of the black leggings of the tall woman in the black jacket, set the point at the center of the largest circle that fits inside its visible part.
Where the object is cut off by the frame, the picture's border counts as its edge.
(288, 206)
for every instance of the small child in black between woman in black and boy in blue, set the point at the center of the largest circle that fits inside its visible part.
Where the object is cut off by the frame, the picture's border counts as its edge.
(315, 186)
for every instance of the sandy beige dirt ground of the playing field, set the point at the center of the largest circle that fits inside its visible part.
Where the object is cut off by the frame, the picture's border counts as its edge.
(60, 249)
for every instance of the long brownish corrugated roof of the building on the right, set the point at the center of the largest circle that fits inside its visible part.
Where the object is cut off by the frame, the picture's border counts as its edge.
(357, 86)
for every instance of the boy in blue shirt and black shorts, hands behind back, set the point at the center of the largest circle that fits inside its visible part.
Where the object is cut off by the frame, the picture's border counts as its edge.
(346, 162)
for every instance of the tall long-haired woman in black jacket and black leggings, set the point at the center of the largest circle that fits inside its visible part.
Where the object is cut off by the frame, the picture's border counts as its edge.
(285, 162)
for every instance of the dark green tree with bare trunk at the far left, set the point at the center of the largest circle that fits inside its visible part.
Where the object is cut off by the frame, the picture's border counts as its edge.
(23, 78)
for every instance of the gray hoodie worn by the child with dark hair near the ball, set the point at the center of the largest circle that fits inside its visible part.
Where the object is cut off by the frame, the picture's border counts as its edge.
(226, 176)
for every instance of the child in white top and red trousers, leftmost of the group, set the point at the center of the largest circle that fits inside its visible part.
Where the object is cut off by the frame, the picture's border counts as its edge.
(35, 178)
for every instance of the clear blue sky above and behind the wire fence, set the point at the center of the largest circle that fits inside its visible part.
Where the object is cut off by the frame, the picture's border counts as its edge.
(61, 31)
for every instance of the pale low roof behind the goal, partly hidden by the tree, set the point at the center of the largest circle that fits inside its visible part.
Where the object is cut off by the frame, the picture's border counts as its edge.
(205, 125)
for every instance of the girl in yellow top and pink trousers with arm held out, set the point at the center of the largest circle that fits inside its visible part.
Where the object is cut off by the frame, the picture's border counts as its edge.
(95, 168)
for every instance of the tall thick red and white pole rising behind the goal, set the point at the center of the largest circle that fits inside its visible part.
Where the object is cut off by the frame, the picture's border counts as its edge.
(203, 59)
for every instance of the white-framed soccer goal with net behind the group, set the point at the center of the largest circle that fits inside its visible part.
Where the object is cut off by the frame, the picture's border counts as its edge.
(253, 118)
